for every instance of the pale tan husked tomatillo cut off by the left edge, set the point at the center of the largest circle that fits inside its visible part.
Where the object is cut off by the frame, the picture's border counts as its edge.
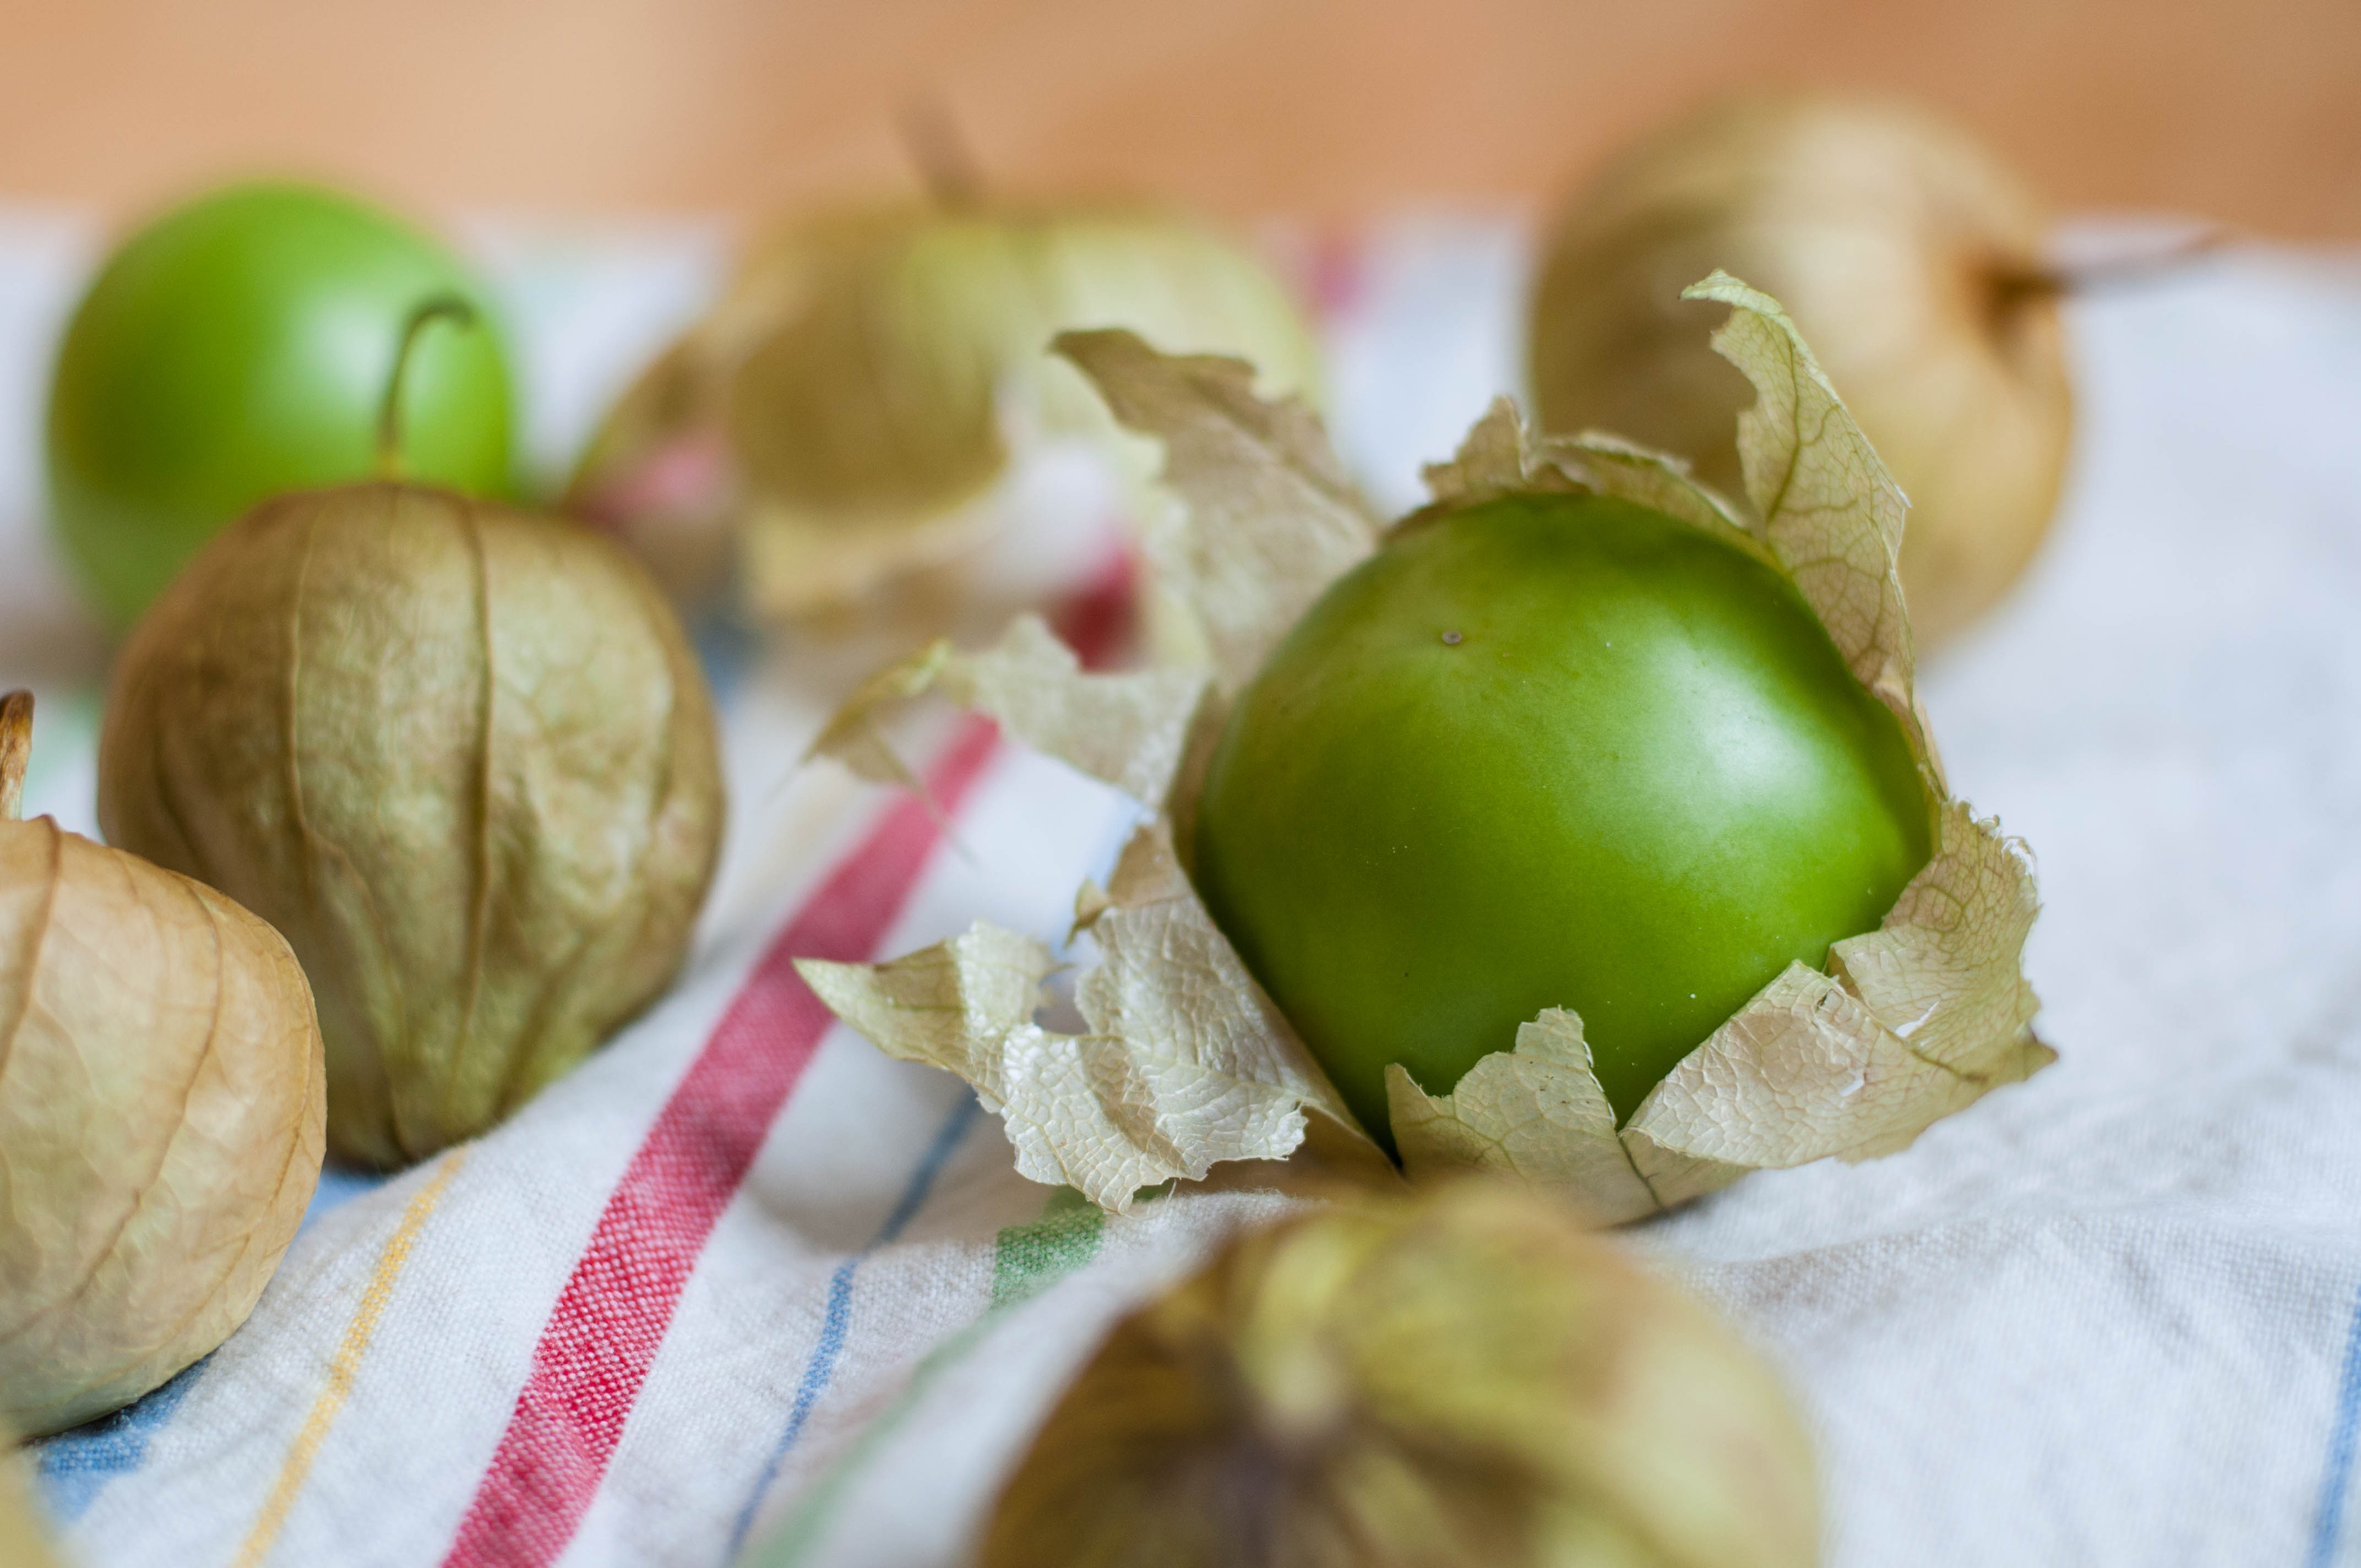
(159, 1116)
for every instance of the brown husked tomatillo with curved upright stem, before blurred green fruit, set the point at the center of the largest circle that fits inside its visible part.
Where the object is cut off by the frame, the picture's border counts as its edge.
(459, 754)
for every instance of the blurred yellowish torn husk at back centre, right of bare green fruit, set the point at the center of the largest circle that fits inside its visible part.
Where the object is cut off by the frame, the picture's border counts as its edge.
(858, 403)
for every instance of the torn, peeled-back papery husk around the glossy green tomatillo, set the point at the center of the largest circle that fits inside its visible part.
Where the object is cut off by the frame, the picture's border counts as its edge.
(1909, 1024)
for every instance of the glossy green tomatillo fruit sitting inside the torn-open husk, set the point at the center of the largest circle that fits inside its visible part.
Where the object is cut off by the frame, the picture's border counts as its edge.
(1640, 785)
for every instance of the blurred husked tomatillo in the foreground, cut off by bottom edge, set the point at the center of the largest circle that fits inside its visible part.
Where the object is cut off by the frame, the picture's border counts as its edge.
(1460, 1380)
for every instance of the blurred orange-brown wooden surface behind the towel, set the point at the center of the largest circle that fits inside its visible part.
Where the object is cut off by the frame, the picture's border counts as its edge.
(1326, 110)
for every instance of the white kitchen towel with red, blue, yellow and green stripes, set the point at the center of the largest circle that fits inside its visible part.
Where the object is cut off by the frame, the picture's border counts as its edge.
(745, 1291)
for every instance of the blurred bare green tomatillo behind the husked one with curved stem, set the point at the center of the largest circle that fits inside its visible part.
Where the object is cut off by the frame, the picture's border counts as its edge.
(240, 348)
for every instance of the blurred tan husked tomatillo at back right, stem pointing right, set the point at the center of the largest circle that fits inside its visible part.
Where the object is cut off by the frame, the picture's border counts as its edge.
(1907, 254)
